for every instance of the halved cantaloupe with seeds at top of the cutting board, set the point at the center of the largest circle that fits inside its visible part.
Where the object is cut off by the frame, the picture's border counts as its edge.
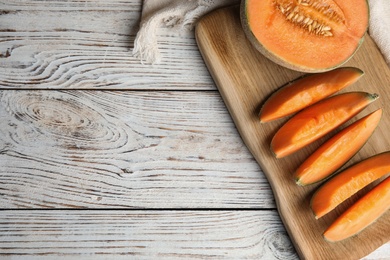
(306, 35)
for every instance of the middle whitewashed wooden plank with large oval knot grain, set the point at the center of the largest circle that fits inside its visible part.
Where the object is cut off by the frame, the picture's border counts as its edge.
(115, 149)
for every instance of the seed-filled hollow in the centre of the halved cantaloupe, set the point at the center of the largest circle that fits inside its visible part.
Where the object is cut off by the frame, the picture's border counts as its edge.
(299, 13)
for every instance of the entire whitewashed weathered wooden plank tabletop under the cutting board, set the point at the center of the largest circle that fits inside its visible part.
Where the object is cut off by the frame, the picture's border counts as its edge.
(104, 157)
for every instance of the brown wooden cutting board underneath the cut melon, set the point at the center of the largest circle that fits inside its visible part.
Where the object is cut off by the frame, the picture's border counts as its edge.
(245, 79)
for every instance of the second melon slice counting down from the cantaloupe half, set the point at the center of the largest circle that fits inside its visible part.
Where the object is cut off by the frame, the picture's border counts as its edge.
(317, 120)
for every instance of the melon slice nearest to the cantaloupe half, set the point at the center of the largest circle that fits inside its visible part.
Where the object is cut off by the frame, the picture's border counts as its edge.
(306, 91)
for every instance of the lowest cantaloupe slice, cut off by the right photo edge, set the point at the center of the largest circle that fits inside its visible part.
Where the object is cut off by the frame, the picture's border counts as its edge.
(361, 214)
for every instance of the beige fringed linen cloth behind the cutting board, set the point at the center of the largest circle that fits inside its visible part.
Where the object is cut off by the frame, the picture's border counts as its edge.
(182, 15)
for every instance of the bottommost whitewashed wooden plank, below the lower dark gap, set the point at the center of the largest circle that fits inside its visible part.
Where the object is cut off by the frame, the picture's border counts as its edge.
(147, 235)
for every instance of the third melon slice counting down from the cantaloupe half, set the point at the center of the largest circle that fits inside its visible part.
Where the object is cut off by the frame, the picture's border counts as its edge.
(335, 152)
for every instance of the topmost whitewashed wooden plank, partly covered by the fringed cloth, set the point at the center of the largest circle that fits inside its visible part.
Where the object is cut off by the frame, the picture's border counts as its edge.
(87, 45)
